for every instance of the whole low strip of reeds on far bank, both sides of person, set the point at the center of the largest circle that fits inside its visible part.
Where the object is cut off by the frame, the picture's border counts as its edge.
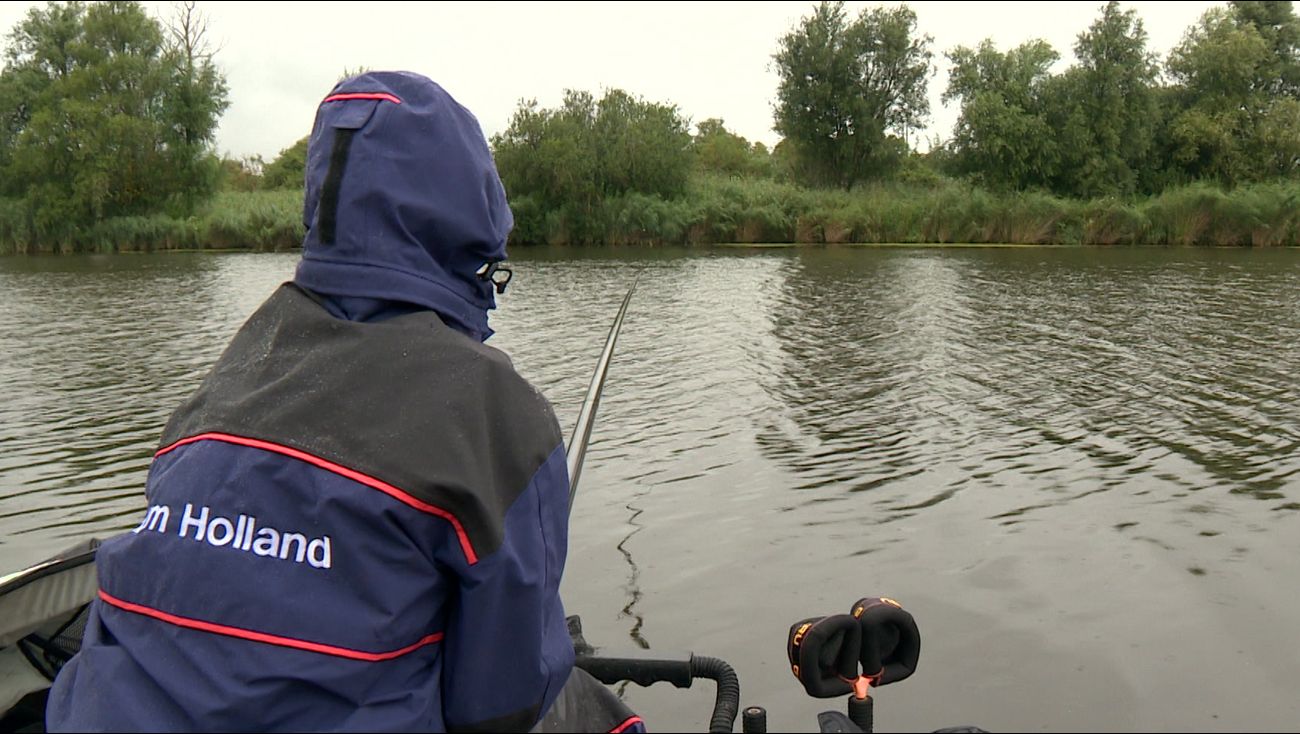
(731, 211)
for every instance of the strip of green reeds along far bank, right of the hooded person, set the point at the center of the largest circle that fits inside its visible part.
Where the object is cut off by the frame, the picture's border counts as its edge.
(722, 211)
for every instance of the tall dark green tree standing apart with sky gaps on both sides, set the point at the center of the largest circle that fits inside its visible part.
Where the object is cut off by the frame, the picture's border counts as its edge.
(851, 93)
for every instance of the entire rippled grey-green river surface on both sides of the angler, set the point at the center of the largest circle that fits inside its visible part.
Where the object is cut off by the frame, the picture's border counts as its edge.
(1065, 462)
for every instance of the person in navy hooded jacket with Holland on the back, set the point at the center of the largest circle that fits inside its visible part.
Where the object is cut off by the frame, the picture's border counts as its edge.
(359, 520)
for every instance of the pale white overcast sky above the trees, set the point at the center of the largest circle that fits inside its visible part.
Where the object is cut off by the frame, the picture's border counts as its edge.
(709, 59)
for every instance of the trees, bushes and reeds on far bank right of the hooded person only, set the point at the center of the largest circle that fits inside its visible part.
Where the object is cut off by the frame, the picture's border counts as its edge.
(1204, 149)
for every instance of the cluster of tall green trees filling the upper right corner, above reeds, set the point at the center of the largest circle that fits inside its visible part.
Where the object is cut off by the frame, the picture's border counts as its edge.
(1225, 107)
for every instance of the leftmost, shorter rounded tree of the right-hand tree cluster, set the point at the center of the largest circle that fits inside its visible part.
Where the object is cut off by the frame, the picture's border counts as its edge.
(1003, 137)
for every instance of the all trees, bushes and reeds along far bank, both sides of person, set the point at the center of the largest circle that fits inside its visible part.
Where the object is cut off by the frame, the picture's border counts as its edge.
(109, 115)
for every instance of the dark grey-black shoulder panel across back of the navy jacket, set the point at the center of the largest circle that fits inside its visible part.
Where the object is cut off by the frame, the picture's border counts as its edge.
(409, 402)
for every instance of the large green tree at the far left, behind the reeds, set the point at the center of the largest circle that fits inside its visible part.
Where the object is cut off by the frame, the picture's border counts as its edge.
(111, 118)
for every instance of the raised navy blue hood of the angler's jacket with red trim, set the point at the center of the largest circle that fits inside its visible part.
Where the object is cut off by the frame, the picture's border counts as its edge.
(402, 202)
